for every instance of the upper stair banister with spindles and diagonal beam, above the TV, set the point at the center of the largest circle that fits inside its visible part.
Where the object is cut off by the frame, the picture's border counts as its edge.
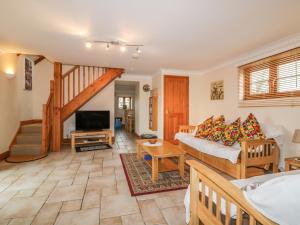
(96, 81)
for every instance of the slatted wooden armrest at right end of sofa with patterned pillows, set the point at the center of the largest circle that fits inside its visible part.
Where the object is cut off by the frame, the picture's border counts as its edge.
(259, 152)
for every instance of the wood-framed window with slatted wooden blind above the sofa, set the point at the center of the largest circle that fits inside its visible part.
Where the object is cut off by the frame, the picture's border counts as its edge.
(274, 80)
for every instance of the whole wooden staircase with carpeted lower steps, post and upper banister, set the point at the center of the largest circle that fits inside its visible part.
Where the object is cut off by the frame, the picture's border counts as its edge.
(68, 92)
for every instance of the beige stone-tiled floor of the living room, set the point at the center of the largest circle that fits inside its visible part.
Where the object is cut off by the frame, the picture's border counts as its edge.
(83, 188)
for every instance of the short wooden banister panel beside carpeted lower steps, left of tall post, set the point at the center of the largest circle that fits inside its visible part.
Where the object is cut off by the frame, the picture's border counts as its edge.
(47, 120)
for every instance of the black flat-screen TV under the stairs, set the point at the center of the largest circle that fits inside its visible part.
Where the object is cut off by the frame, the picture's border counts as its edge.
(92, 120)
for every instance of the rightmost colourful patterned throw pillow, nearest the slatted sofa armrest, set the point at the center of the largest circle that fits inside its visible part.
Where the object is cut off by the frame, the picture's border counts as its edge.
(250, 129)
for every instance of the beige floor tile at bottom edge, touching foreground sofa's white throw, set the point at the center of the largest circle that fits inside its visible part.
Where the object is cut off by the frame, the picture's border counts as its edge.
(175, 215)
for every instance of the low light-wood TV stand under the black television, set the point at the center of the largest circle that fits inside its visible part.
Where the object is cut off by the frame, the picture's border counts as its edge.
(81, 138)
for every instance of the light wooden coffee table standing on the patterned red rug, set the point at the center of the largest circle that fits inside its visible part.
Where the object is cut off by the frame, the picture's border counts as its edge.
(161, 155)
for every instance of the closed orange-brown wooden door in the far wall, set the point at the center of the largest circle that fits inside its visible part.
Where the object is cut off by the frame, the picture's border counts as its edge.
(176, 105)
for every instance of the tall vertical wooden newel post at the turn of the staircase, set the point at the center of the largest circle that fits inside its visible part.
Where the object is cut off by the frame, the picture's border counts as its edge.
(57, 121)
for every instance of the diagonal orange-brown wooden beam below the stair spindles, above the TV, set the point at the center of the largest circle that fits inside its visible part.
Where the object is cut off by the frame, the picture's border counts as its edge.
(110, 75)
